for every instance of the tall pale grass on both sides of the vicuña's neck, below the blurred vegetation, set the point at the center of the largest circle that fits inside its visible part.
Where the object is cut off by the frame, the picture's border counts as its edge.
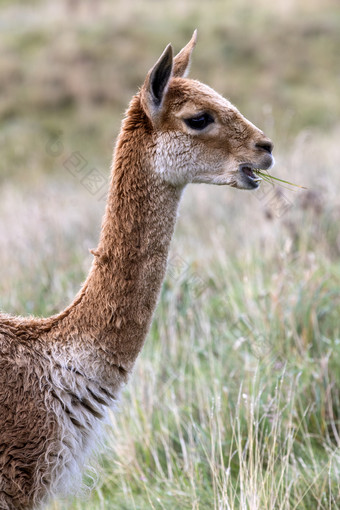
(234, 401)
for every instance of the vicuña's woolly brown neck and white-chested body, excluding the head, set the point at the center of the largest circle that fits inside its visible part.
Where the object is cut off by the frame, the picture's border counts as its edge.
(79, 359)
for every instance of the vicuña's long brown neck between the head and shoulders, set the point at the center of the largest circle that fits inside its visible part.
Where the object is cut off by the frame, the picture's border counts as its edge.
(115, 305)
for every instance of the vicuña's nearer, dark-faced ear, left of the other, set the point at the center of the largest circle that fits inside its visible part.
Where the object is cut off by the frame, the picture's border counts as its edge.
(156, 84)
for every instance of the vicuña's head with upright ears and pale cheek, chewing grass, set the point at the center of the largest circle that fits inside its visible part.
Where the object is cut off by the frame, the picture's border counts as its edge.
(200, 137)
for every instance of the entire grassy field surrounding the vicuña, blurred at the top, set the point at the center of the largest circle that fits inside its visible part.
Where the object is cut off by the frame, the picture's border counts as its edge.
(235, 400)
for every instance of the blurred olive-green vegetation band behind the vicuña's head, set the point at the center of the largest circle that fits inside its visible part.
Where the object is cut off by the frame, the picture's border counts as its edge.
(73, 66)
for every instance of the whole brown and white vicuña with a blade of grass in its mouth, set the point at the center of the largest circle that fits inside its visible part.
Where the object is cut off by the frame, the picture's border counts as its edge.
(58, 375)
